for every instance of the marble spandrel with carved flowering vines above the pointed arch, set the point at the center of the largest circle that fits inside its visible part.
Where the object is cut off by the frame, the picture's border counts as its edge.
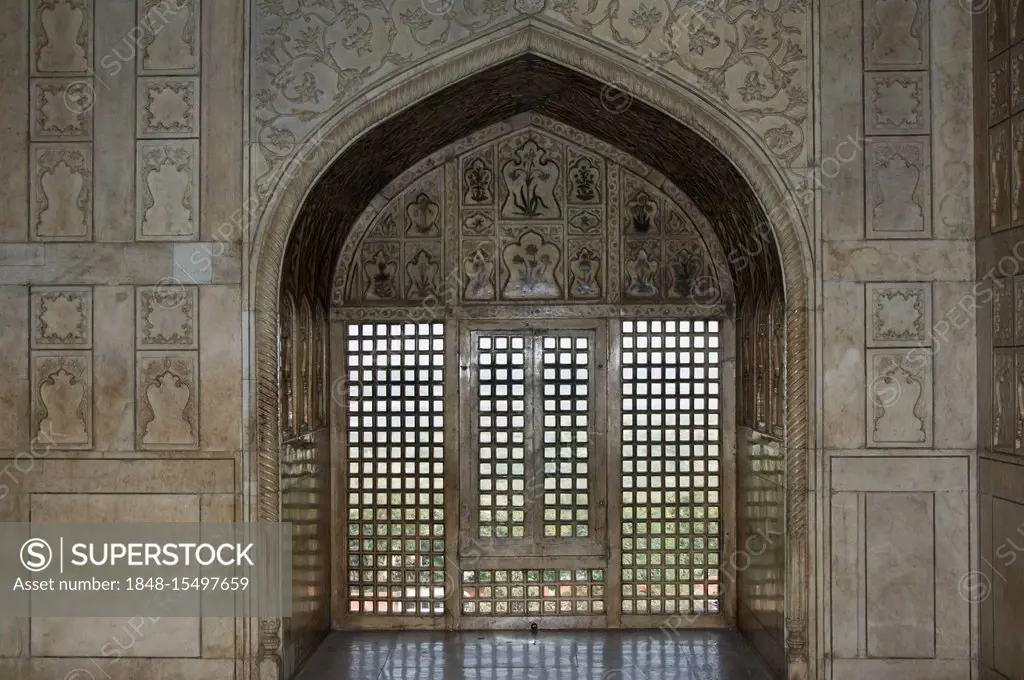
(310, 60)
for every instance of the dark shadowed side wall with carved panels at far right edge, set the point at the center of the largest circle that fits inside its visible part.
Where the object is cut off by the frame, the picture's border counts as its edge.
(999, 65)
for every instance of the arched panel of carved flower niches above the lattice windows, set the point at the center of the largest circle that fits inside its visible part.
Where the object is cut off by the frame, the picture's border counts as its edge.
(531, 211)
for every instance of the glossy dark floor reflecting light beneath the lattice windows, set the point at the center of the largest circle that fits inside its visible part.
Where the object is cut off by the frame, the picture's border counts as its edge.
(546, 656)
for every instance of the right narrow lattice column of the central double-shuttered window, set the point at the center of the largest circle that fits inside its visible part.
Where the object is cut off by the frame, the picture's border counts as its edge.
(567, 454)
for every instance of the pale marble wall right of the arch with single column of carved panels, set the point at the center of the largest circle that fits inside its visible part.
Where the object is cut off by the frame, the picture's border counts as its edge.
(900, 316)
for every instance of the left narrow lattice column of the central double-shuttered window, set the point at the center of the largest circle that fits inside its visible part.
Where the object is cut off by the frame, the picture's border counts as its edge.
(502, 436)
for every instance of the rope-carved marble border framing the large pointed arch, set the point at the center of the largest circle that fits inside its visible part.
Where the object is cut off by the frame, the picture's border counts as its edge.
(678, 102)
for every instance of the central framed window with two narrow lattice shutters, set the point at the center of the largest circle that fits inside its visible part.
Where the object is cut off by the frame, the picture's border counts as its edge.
(531, 402)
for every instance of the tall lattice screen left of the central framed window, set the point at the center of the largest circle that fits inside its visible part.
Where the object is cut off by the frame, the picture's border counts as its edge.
(395, 458)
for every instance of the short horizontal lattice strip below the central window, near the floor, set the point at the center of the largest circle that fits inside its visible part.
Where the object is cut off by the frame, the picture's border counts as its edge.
(533, 592)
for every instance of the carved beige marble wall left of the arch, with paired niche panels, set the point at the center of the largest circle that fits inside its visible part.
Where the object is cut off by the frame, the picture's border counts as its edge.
(121, 381)
